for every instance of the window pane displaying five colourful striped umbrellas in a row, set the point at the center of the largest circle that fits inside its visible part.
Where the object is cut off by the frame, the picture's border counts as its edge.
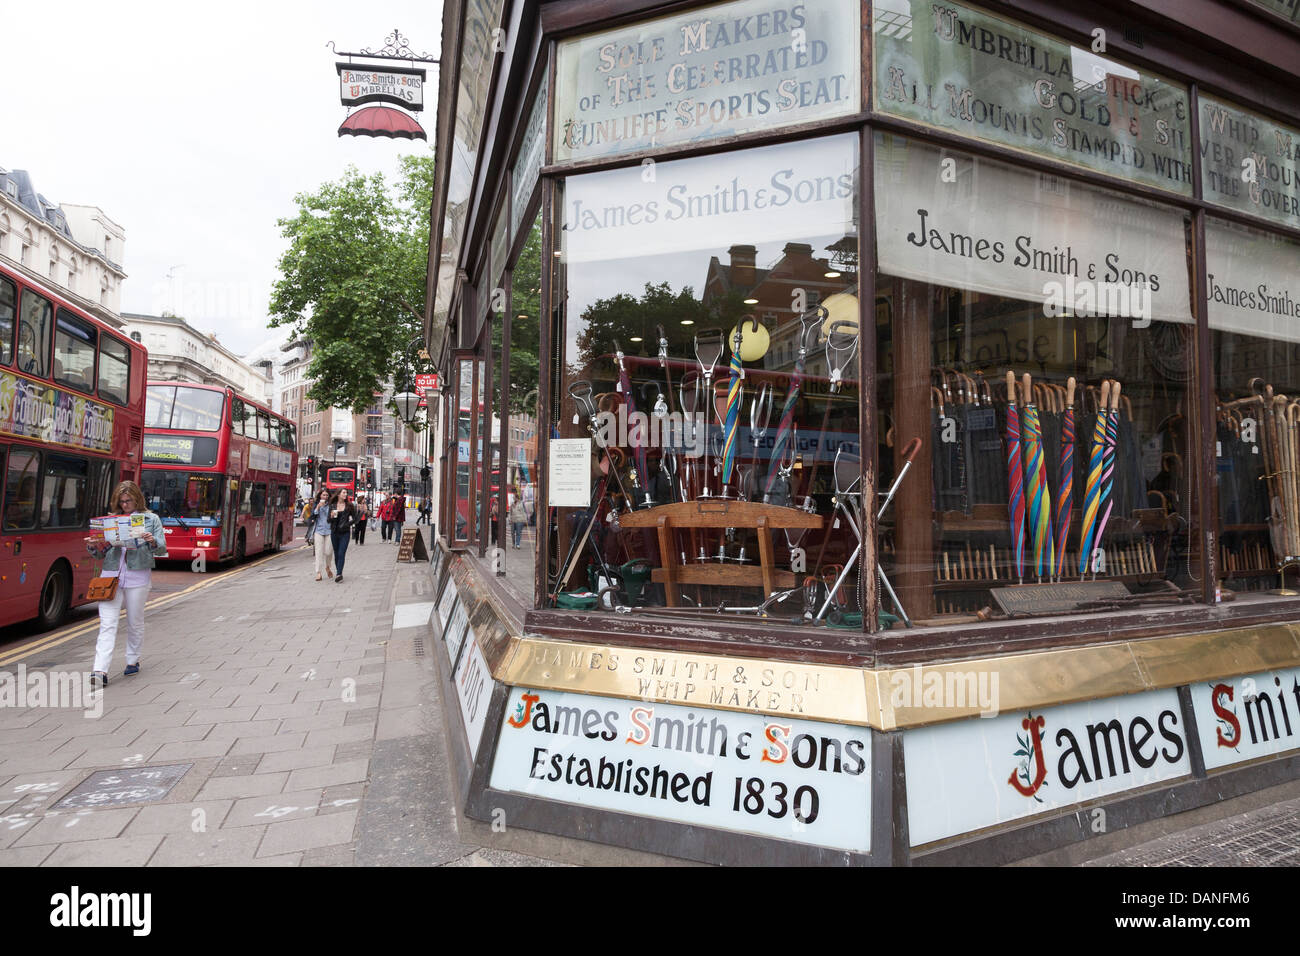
(1077, 471)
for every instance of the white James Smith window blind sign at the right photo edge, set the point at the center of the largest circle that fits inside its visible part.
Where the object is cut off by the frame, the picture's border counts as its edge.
(1253, 282)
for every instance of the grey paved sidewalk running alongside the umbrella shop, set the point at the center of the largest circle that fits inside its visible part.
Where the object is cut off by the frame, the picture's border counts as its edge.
(300, 726)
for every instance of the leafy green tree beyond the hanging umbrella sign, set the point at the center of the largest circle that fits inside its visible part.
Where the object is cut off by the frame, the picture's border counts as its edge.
(352, 278)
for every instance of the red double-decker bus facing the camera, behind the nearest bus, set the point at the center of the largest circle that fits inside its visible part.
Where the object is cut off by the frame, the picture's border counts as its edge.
(219, 470)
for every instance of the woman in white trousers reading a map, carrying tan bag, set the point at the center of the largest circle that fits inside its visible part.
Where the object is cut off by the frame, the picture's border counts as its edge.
(133, 569)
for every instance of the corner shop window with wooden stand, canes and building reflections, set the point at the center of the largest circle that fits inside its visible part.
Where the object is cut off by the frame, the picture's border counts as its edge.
(707, 387)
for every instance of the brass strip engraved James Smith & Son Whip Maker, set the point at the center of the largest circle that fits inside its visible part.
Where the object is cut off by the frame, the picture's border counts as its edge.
(818, 693)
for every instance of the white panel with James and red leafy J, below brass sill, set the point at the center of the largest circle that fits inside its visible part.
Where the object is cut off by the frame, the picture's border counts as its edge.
(974, 775)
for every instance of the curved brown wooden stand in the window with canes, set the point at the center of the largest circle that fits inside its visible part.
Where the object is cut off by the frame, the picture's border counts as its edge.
(718, 514)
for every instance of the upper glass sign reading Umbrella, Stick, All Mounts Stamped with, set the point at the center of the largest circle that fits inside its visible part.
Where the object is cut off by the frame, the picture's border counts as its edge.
(980, 76)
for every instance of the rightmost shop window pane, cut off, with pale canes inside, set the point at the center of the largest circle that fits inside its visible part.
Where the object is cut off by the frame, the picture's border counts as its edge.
(1254, 284)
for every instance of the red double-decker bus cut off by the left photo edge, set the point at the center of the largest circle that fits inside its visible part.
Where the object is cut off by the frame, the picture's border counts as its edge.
(72, 416)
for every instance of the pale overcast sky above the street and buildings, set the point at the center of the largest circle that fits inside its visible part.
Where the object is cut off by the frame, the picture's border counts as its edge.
(193, 127)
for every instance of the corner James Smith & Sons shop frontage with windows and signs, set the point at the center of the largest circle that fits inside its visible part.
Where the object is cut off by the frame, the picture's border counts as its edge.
(869, 434)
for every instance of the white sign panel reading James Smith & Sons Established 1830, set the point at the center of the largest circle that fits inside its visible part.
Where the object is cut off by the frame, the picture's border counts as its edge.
(786, 778)
